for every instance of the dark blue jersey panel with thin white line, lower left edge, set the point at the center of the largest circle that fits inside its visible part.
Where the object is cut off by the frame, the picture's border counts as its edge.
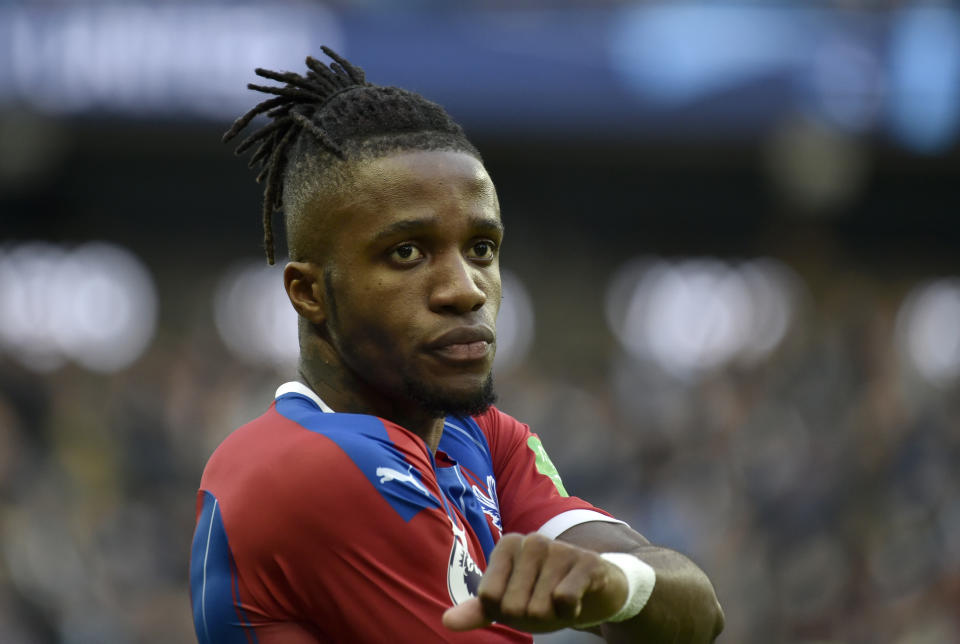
(216, 617)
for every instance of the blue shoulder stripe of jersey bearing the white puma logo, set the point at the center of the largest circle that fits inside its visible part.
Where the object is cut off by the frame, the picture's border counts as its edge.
(365, 440)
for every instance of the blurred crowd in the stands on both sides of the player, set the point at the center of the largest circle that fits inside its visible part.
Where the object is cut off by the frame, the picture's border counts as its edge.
(818, 488)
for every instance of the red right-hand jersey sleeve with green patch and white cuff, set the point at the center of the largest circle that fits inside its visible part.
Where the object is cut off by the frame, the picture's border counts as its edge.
(531, 495)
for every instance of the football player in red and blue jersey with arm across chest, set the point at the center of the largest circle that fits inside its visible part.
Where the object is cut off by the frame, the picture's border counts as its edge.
(381, 497)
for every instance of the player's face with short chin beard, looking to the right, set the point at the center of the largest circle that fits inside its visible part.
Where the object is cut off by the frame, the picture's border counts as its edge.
(412, 285)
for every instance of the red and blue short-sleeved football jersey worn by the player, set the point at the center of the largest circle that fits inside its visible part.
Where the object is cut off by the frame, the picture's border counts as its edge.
(314, 526)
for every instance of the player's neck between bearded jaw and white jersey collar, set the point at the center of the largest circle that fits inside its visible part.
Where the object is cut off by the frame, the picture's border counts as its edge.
(344, 392)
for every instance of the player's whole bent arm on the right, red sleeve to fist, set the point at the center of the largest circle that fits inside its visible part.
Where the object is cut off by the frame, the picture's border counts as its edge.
(537, 584)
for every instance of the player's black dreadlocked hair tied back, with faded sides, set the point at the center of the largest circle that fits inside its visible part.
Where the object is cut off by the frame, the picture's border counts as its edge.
(327, 117)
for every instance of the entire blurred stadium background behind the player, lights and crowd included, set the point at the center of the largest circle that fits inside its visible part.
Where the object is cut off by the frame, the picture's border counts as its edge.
(732, 307)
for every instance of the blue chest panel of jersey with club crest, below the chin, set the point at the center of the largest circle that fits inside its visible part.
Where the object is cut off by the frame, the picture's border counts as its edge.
(466, 444)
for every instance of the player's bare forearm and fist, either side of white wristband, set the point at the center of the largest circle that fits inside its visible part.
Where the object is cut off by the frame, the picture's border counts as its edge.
(537, 585)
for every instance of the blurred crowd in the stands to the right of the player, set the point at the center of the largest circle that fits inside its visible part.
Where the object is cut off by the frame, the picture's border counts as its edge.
(819, 491)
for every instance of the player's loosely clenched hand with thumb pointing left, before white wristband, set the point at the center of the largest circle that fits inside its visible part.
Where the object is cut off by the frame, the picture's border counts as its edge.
(538, 585)
